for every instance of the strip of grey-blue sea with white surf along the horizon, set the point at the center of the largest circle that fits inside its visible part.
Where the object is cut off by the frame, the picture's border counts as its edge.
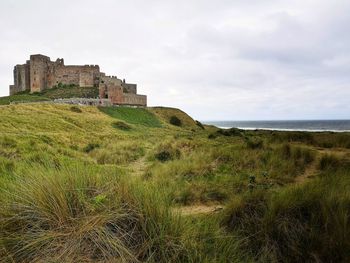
(295, 125)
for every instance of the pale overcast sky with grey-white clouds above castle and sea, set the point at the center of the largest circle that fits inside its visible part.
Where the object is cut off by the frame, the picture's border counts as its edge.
(215, 60)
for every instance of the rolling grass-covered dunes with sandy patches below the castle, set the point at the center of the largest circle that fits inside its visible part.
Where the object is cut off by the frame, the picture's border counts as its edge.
(88, 184)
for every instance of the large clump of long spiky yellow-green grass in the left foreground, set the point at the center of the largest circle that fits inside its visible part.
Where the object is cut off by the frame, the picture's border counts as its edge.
(78, 214)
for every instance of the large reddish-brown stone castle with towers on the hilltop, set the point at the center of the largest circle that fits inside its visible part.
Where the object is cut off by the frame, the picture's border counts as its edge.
(40, 73)
